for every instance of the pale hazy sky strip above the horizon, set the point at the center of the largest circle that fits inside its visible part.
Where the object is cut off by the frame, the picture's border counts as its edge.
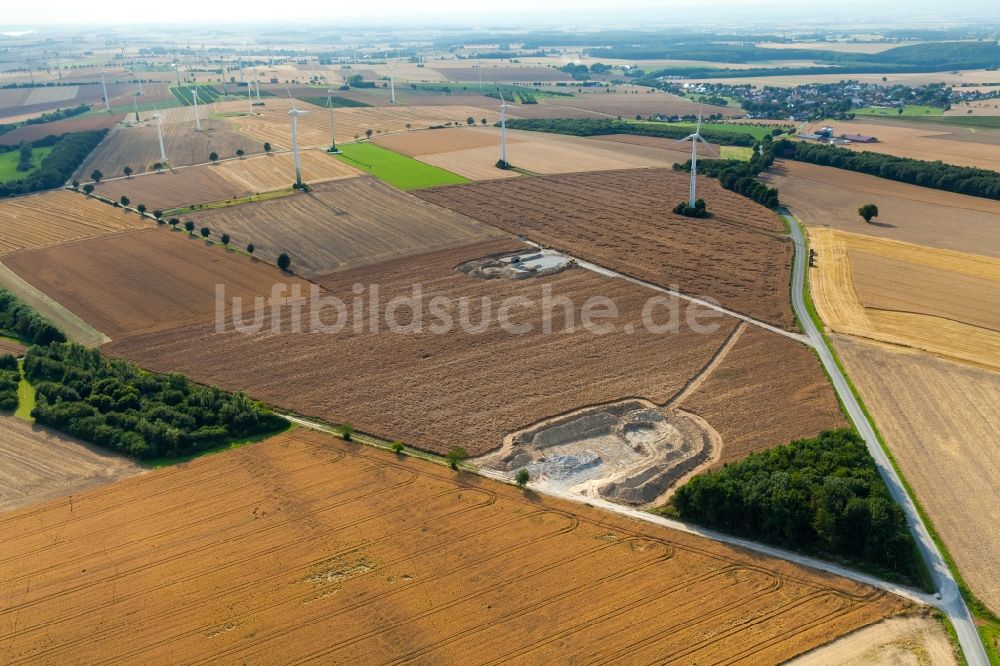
(17, 13)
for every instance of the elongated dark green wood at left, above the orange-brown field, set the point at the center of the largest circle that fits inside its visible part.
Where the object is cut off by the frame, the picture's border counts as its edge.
(117, 405)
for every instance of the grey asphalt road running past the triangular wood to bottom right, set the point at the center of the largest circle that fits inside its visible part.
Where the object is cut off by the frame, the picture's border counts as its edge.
(949, 599)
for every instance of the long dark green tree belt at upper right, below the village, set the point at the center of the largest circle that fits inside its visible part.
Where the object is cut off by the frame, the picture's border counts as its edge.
(948, 177)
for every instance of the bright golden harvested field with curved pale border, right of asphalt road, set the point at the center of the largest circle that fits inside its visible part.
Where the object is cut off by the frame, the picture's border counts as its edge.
(939, 301)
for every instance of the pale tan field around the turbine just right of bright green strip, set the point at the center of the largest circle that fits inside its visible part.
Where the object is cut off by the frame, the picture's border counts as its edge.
(541, 153)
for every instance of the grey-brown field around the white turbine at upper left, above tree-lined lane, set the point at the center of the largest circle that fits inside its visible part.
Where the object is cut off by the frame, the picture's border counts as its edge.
(138, 147)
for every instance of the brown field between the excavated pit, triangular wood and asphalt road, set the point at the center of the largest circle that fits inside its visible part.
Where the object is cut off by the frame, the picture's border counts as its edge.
(794, 403)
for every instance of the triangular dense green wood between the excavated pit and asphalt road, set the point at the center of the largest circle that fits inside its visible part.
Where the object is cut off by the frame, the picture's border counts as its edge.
(821, 495)
